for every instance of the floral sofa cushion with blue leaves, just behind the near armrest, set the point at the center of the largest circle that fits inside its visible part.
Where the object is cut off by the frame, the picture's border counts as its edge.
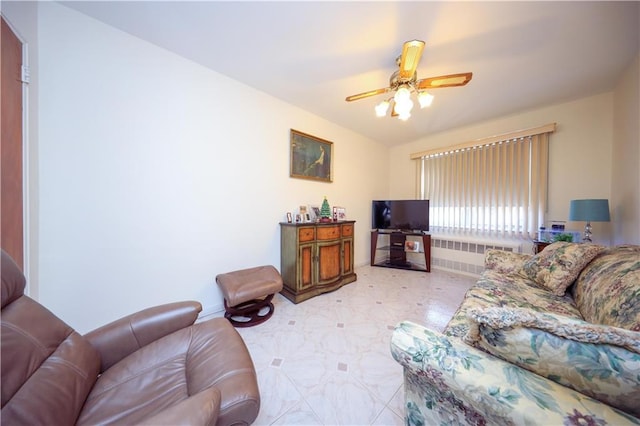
(597, 360)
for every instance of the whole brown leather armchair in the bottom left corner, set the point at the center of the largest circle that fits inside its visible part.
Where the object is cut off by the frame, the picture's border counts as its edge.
(153, 367)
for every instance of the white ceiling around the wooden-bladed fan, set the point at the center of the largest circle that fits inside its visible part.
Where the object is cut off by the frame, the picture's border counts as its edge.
(523, 55)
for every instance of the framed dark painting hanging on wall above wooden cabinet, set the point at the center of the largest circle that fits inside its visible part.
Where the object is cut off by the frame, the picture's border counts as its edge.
(311, 157)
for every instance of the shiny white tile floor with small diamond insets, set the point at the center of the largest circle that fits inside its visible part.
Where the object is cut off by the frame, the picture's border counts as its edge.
(326, 361)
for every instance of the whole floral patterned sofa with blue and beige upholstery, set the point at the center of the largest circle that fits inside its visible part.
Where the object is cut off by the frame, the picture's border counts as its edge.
(547, 339)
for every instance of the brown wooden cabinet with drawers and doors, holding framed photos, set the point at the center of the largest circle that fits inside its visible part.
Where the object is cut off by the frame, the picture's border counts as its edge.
(315, 258)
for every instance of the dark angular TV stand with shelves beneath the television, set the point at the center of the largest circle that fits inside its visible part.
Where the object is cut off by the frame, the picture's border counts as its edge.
(396, 256)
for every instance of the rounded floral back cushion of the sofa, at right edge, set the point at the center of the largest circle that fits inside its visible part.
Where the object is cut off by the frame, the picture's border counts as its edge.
(608, 289)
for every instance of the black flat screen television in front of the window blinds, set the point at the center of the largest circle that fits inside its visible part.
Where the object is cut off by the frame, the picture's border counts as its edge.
(402, 215)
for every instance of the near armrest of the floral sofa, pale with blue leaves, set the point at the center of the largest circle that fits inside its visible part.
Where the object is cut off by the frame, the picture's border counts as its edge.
(447, 381)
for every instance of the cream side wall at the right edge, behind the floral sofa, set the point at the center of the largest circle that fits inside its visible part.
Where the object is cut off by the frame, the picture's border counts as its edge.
(625, 182)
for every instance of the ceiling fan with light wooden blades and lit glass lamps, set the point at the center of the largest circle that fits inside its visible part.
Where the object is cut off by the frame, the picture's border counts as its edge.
(405, 81)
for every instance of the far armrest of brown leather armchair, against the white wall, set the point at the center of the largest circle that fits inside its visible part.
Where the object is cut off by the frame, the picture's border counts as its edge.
(124, 336)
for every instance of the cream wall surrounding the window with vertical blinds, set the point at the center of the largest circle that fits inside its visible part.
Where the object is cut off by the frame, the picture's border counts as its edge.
(579, 154)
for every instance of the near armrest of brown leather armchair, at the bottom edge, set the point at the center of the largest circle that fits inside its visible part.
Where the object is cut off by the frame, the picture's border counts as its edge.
(202, 408)
